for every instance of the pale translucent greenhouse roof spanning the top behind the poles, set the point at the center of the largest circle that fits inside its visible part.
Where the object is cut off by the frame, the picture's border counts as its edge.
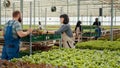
(87, 7)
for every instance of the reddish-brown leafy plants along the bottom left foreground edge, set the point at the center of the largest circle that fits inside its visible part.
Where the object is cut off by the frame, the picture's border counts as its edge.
(19, 64)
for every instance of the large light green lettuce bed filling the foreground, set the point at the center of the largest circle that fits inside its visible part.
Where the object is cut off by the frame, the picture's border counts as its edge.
(75, 58)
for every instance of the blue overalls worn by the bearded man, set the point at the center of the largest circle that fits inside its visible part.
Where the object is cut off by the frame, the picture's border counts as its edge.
(11, 46)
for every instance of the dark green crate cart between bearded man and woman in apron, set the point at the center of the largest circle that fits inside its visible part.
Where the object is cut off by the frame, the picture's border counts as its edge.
(41, 38)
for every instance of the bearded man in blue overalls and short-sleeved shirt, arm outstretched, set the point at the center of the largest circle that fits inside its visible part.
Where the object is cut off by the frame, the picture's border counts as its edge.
(12, 33)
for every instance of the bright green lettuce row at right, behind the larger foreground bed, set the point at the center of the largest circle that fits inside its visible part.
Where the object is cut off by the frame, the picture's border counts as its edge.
(99, 45)
